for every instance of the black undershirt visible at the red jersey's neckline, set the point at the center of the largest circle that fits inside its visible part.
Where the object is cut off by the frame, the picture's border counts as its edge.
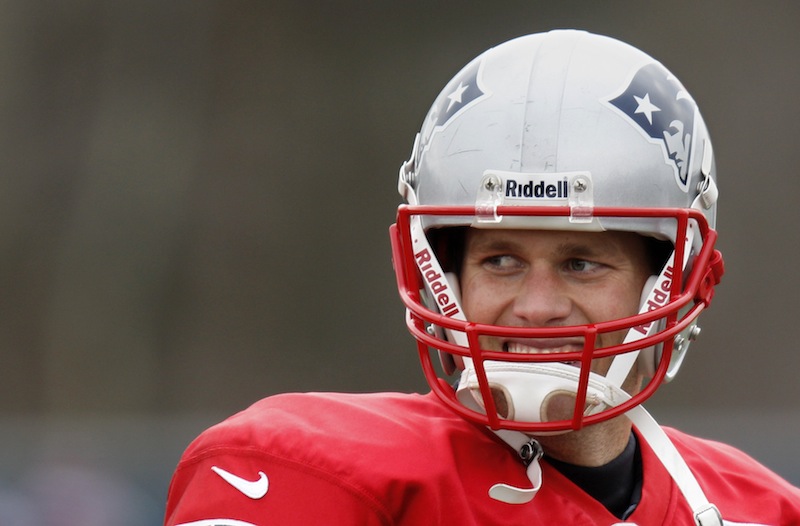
(616, 485)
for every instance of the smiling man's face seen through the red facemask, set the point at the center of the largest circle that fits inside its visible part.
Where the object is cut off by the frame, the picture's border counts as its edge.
(526, 278)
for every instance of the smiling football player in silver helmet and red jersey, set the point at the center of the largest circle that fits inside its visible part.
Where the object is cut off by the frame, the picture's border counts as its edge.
(554, 256)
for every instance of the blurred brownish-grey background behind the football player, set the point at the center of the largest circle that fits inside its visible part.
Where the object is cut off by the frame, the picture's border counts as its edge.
(194, 204)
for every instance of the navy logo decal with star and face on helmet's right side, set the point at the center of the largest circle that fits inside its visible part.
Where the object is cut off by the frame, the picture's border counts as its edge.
(660, 106)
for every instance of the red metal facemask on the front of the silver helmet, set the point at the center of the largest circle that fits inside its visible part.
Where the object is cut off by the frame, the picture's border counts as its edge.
(691, 297)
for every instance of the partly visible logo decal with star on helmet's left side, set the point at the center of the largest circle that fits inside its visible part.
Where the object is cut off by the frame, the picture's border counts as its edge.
(462, 91)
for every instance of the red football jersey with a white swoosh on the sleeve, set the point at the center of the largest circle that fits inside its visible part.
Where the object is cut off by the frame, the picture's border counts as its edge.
(405, 459)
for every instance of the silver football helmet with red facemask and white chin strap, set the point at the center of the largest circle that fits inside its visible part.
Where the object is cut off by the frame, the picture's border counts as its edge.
(564, 130)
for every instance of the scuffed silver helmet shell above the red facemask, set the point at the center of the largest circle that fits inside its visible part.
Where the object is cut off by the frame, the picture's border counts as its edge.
(544, 110)
